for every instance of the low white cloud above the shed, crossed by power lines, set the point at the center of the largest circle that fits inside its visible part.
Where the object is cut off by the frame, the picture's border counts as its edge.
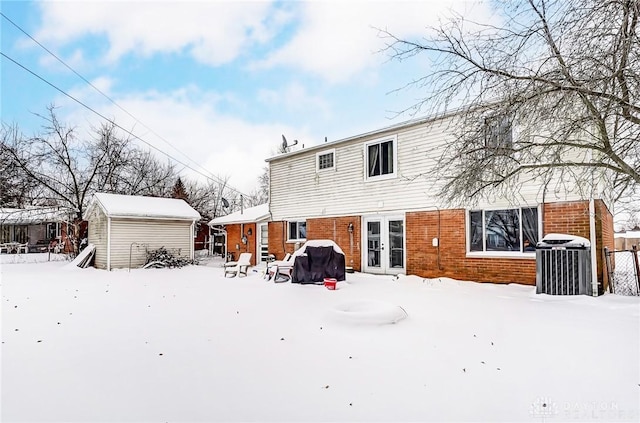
(198, 134)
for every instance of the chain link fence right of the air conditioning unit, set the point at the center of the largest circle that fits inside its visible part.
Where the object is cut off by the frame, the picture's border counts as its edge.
(623, 268)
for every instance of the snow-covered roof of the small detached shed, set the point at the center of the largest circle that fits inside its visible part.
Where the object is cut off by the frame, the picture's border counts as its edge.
(136, 206)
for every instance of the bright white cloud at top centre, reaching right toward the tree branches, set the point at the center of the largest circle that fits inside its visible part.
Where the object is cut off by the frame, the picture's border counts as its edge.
(337, 40)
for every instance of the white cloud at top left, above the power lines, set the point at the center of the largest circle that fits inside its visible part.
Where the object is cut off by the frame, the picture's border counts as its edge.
(214, 32)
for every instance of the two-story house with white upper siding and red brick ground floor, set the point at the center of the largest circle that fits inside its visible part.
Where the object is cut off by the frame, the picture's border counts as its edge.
(376, 195)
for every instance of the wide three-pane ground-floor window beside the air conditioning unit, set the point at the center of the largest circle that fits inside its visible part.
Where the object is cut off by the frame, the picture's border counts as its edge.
(508, 230)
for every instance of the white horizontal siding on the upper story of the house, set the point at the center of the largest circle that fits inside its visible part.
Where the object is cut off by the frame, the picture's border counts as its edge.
(299, 192)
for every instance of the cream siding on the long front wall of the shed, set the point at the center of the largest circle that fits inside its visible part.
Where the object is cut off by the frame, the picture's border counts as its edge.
(139, 235)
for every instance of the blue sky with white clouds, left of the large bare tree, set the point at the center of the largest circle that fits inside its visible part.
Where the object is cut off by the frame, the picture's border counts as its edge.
(215, 83)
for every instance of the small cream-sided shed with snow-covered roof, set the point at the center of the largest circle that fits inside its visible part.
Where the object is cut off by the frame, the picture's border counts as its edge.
(124, 227)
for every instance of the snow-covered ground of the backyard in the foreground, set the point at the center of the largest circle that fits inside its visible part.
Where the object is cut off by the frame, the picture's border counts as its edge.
(171, 345)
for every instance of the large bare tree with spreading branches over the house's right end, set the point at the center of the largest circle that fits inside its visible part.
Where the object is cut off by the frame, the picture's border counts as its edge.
(565, 73)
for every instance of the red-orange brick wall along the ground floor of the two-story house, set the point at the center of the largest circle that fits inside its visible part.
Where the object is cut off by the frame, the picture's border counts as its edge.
(449, 257)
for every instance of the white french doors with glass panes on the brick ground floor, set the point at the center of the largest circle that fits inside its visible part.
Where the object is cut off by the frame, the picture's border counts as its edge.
(384, 242)
